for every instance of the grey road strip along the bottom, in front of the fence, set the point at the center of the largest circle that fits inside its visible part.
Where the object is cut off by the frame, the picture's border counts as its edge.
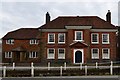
(68, 78)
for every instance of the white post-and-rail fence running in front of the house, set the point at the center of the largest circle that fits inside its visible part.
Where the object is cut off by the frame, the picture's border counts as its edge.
(61, 69)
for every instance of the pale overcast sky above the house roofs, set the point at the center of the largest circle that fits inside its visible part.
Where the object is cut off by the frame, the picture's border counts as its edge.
(15, 14)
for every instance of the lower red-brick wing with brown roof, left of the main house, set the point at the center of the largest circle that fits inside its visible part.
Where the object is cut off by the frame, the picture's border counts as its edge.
(21, 45)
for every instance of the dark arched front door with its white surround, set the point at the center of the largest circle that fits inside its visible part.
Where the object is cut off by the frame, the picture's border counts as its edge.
(78, 56)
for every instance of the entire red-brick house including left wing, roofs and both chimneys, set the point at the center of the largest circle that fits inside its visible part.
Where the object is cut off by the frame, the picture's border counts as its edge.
(71, 39)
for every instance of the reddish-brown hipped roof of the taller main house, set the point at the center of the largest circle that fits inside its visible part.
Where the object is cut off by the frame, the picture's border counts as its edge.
(62, 21)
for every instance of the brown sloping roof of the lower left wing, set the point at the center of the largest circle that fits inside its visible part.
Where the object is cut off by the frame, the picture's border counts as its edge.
(22, 33)
